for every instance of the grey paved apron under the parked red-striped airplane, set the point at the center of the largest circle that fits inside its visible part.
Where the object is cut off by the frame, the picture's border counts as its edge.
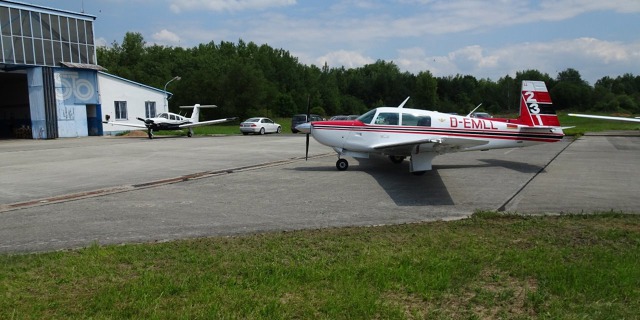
(70, 193)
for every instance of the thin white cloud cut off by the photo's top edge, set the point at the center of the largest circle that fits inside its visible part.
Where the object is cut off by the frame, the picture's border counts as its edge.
(178, 6)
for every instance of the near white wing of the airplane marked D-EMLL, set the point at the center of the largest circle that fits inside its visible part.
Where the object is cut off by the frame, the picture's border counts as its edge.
(441, 145)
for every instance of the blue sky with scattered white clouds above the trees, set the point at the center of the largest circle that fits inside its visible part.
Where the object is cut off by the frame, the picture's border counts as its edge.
(483, 38)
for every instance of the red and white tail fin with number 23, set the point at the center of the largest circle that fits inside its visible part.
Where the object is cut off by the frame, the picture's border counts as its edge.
(536, 108)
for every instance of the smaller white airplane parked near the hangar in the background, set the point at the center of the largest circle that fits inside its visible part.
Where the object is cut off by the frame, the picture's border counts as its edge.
(172, 121)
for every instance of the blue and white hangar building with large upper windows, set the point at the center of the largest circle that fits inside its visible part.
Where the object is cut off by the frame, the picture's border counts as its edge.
(52, 85)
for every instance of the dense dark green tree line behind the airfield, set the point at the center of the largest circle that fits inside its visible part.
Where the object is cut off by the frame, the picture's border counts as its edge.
(247, 79)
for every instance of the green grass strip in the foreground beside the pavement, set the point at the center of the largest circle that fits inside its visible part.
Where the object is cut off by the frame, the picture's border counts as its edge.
(489, 266)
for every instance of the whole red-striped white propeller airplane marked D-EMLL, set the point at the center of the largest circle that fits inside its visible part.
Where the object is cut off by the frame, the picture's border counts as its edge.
(421, 135)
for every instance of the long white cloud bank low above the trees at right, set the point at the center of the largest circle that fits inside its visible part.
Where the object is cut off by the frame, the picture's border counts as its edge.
(593, 58)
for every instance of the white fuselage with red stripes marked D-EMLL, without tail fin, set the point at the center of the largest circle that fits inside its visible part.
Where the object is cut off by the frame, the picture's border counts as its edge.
(394, 126)
